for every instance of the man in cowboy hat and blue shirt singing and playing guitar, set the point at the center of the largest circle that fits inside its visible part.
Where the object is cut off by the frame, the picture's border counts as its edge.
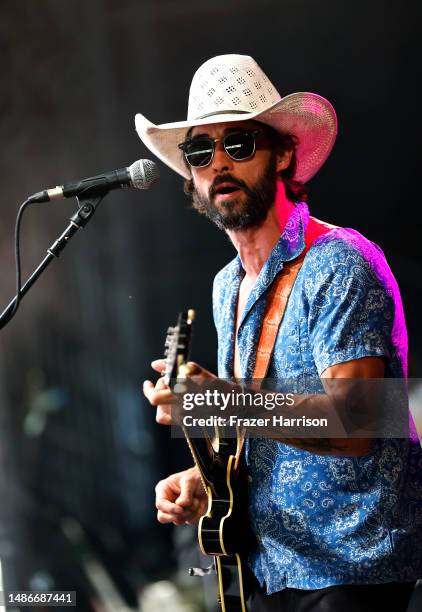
(338, 522)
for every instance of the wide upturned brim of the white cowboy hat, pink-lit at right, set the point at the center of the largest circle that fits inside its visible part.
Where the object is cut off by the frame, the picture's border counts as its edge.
(308, 116)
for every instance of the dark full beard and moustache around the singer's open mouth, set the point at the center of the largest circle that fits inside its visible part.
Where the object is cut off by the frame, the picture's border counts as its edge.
(233, 214)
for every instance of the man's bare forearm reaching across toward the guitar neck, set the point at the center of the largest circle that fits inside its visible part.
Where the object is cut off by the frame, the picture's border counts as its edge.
(312, 422)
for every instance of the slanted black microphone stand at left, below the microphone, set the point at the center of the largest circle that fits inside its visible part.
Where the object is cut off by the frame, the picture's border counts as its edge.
(87, 206)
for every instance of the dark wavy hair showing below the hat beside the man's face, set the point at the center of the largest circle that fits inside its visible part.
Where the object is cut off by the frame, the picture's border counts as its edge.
(295, 190)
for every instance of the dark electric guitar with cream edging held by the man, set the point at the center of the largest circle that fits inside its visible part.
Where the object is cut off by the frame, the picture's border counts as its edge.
(223, 531)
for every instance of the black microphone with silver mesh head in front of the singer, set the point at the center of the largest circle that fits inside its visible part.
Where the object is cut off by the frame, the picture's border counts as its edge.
(142, 174)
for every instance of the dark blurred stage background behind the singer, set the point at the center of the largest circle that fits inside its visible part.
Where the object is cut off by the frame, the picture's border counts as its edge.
(77, 439)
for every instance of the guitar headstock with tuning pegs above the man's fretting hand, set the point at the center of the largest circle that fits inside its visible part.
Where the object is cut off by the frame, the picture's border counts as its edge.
(177, 345)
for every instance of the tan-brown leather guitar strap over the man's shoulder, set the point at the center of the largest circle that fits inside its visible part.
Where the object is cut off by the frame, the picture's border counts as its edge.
(278, 298)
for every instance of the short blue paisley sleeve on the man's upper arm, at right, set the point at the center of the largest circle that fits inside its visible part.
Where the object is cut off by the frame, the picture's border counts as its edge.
(350, 312)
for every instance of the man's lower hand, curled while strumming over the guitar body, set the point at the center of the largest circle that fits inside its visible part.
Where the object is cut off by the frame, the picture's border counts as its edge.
(181, 498)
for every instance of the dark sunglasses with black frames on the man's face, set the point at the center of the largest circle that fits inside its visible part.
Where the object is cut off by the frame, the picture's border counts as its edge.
(238, 145)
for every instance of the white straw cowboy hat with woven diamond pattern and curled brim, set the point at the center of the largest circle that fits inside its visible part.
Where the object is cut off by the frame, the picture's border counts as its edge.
(234, 88)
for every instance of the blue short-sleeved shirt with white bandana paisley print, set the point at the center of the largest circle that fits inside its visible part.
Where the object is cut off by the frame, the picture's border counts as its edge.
(322, 520)
